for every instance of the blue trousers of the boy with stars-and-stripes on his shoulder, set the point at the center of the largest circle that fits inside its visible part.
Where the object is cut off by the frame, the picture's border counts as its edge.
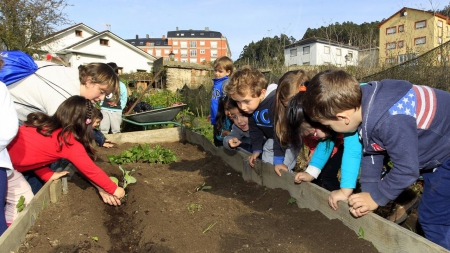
(434, 209)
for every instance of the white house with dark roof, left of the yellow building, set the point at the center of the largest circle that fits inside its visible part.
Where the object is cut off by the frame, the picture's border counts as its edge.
(316, 51)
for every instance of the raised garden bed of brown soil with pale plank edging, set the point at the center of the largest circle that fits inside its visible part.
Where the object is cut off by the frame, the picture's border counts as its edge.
(165, 213)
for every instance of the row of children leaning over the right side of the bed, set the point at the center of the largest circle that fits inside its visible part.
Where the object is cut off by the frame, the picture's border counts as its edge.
(350, 127)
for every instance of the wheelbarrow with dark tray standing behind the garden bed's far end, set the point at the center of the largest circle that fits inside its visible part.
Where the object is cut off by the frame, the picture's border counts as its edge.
(161, 116)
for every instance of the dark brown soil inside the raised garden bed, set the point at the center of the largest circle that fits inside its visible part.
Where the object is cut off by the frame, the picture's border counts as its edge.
(242, 216)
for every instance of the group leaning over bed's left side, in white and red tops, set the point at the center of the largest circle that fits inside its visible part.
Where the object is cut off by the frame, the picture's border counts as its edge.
(50, 116)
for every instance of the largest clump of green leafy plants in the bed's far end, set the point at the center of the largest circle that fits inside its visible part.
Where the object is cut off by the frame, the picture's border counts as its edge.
(144, 154)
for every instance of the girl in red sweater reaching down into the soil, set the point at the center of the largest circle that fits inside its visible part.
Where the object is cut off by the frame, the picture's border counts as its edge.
(67, 134)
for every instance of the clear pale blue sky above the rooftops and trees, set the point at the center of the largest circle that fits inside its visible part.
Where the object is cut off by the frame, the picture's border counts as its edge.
(240, 21)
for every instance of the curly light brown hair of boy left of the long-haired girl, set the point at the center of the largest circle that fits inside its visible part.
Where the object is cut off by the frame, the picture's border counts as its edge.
(246, 80)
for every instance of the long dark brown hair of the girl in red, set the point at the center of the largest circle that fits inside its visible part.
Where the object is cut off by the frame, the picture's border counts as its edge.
(73, 117)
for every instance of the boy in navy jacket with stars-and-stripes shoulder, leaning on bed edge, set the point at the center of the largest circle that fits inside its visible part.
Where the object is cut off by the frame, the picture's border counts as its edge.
(408, 122)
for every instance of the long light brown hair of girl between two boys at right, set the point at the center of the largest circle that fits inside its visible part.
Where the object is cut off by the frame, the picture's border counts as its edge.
(288, 86)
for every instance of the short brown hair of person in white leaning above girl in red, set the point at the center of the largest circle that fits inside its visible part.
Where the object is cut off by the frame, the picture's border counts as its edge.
(101, 73)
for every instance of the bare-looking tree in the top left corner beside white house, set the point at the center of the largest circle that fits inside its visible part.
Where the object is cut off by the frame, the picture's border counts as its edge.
(25, 23)
